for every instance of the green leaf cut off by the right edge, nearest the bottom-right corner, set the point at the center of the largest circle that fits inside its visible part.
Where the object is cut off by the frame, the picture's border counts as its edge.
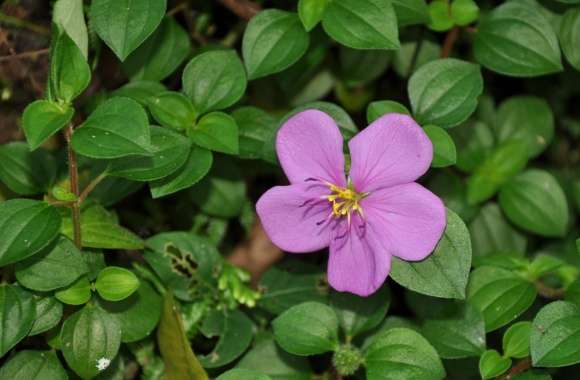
(555, 335)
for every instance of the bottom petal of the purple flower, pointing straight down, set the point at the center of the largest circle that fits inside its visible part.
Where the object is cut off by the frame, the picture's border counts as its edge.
(358, 263)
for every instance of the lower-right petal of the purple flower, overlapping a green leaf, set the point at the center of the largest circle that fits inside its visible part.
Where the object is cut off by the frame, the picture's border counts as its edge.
(410, 219)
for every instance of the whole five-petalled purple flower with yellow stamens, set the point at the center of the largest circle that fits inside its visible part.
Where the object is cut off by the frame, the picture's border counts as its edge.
(378, 212)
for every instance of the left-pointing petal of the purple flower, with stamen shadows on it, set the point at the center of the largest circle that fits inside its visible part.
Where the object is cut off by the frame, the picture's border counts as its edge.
(289, 215)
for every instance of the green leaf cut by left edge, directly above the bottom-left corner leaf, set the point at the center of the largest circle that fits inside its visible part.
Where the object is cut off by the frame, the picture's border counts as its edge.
(17, 316)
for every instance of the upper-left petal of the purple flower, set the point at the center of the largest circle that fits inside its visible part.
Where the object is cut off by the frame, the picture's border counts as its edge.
(309, 145)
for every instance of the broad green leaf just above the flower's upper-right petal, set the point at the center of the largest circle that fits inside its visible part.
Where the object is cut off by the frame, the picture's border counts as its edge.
(445, 92)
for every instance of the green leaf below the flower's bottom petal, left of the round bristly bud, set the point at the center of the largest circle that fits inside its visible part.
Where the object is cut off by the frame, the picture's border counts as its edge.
(308, 328)
